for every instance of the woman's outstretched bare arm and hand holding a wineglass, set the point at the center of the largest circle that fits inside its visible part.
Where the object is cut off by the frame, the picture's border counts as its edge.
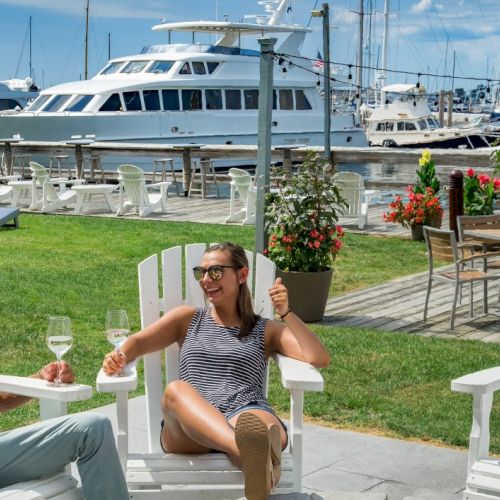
(170, 328)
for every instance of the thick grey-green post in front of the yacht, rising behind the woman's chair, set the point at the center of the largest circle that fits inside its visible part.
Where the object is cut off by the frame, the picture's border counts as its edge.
(264, 137)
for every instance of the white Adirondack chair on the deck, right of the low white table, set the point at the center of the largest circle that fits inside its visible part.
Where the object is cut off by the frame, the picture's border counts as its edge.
(134, 193)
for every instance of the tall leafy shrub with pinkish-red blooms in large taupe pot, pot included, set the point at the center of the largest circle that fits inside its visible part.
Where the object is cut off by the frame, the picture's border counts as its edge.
(304, 238)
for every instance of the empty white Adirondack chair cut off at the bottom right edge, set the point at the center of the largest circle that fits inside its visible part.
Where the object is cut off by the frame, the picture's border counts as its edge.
(483, 470)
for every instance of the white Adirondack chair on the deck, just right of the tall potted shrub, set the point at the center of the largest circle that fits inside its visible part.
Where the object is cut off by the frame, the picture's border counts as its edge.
(352, 188)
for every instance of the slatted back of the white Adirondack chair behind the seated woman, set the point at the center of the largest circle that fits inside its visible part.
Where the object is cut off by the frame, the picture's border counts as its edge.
(152, 305)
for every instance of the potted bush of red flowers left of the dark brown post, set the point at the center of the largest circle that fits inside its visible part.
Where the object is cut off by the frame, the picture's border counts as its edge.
(420, 209)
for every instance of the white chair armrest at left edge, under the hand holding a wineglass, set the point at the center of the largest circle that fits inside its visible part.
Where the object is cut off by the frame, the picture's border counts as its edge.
(40, 389)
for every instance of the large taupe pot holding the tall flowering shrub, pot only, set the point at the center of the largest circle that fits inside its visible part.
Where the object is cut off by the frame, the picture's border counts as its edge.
(307, 292)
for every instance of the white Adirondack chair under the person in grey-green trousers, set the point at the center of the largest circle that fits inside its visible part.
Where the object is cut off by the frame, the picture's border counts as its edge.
(53, 400)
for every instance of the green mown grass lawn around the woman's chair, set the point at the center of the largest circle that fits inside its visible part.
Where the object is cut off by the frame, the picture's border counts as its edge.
(79, 266)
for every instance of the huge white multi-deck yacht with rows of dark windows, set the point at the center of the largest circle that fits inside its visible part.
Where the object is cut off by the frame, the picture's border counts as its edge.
(178, 93)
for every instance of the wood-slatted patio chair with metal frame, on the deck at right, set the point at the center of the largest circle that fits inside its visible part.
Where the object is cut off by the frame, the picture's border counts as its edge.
(442, 245)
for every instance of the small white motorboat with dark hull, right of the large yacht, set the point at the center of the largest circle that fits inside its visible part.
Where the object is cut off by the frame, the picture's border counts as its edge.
(407, 121)
